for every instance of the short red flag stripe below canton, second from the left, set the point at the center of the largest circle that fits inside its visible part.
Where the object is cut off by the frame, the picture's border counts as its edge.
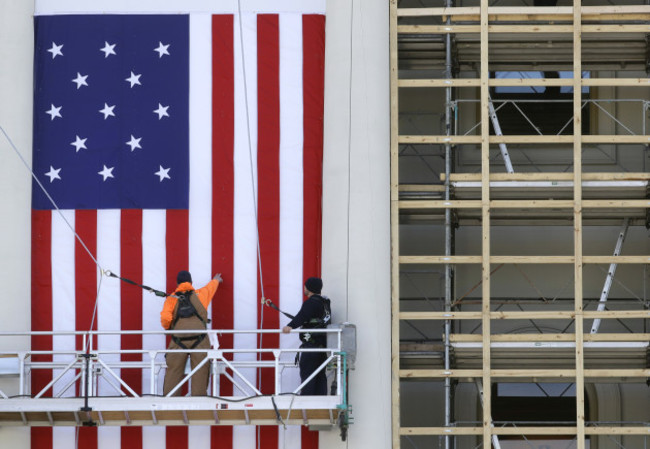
(85, 272)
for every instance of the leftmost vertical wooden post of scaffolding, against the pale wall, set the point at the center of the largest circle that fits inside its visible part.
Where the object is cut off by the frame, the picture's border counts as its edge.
(394, 230)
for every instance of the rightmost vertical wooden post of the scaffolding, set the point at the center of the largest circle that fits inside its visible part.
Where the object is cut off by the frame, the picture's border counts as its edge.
(577, 211)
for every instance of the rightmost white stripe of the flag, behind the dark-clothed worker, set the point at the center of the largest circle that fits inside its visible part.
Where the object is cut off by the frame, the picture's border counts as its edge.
(291, 194)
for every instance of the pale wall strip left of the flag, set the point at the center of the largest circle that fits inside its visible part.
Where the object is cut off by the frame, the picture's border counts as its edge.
(16, 50)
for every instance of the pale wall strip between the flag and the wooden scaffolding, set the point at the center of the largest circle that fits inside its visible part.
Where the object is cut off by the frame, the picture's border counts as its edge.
(356, 218)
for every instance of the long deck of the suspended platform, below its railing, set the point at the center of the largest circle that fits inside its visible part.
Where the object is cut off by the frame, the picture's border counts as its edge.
(177, 411)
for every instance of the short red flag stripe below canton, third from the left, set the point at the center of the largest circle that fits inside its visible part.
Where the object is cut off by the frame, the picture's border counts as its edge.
(131, 308)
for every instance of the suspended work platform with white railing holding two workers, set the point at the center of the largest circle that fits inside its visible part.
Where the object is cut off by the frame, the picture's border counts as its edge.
(124, 387)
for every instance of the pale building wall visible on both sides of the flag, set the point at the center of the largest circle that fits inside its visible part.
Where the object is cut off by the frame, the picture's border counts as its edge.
(356, 243)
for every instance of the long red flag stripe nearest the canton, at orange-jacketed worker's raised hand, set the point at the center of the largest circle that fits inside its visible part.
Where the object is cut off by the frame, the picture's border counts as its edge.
(223, 195)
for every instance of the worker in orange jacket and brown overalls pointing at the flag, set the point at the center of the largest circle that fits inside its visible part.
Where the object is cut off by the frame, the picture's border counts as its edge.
(187, 310)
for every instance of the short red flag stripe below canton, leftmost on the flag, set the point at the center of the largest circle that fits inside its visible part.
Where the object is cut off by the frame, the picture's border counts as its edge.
(41, 437)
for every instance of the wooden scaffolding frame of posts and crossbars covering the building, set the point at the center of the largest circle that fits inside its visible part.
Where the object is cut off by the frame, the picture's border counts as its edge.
(477, 26)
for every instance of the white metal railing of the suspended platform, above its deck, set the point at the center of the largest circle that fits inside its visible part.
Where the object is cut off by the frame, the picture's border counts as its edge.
(82, 370)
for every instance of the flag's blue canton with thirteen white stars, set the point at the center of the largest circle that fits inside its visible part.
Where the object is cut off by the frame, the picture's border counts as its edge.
(111, 119)
